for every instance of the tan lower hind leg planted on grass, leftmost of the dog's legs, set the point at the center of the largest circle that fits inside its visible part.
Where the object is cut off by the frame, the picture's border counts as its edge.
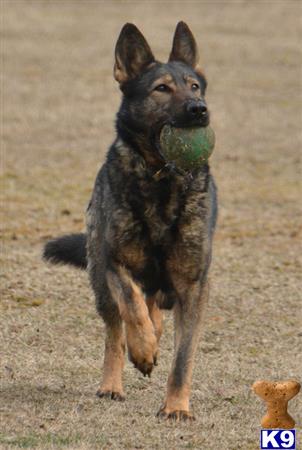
(111, 385)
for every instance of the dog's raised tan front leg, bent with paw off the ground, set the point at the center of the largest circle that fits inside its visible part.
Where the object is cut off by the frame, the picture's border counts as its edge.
(140, 332)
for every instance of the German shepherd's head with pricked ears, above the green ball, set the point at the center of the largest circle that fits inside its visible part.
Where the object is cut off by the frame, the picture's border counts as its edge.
(155, 93)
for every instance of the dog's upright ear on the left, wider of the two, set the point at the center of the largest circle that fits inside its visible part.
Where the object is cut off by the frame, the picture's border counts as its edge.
(132, 54)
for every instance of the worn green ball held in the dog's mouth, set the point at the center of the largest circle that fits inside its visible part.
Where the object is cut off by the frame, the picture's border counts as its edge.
(187, 148)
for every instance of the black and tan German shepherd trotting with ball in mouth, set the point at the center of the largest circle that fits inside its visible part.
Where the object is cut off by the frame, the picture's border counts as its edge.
(149, 225)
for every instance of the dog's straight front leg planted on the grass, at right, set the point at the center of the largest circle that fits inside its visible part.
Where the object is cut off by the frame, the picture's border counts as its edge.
(188, 313)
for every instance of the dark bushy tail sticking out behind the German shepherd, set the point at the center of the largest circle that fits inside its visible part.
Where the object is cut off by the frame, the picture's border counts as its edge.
(69, 249)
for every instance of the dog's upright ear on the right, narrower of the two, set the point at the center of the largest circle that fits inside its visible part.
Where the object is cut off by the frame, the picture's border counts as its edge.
(184, 46)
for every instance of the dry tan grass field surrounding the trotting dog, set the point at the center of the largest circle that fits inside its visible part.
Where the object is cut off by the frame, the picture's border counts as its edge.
(58, 105)
